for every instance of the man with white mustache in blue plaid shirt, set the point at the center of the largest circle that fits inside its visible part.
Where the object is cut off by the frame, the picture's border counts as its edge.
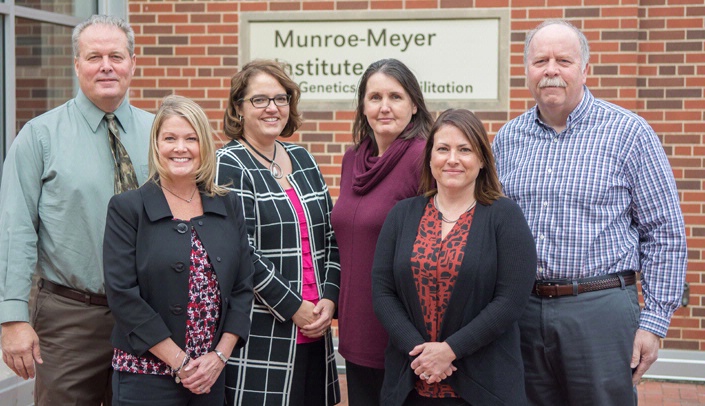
(599, 195)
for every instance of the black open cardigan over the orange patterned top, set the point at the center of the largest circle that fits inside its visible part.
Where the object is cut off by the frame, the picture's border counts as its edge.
(480, 324)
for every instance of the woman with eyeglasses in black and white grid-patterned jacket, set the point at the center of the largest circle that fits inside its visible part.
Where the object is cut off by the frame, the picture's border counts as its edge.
(288, 359)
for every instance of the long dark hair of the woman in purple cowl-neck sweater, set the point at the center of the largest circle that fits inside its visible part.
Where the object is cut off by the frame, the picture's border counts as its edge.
(421, 121)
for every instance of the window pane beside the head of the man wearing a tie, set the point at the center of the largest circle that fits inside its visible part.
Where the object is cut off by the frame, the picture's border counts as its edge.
(44, 68)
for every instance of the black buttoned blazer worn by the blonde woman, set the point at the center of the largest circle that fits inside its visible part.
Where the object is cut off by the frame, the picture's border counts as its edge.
(146, 258)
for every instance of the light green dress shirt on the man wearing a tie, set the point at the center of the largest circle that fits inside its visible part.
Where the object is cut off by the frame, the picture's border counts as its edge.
(57, 180)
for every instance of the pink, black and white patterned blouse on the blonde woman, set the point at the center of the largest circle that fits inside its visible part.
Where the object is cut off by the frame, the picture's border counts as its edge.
(202, 315)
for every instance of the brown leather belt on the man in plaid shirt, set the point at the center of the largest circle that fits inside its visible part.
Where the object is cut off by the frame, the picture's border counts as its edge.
(574, 287)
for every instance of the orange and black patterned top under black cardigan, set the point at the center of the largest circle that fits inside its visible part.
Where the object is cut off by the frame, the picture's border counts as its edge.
(435, 263)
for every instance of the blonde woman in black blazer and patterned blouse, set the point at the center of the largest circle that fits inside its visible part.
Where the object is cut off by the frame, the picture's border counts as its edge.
(177, 268)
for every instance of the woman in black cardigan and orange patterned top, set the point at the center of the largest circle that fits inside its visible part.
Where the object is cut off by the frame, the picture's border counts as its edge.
(452, 272)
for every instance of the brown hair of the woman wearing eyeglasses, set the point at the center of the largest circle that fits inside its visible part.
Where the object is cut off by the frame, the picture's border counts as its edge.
(232, 123)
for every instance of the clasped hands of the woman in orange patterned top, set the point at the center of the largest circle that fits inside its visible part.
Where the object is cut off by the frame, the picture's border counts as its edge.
(433, 362)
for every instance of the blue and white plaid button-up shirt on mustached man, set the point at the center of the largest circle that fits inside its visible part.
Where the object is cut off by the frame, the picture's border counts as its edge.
(600, 198)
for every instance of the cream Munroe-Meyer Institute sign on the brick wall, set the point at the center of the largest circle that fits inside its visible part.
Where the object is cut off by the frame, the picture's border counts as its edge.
(459, 60)
